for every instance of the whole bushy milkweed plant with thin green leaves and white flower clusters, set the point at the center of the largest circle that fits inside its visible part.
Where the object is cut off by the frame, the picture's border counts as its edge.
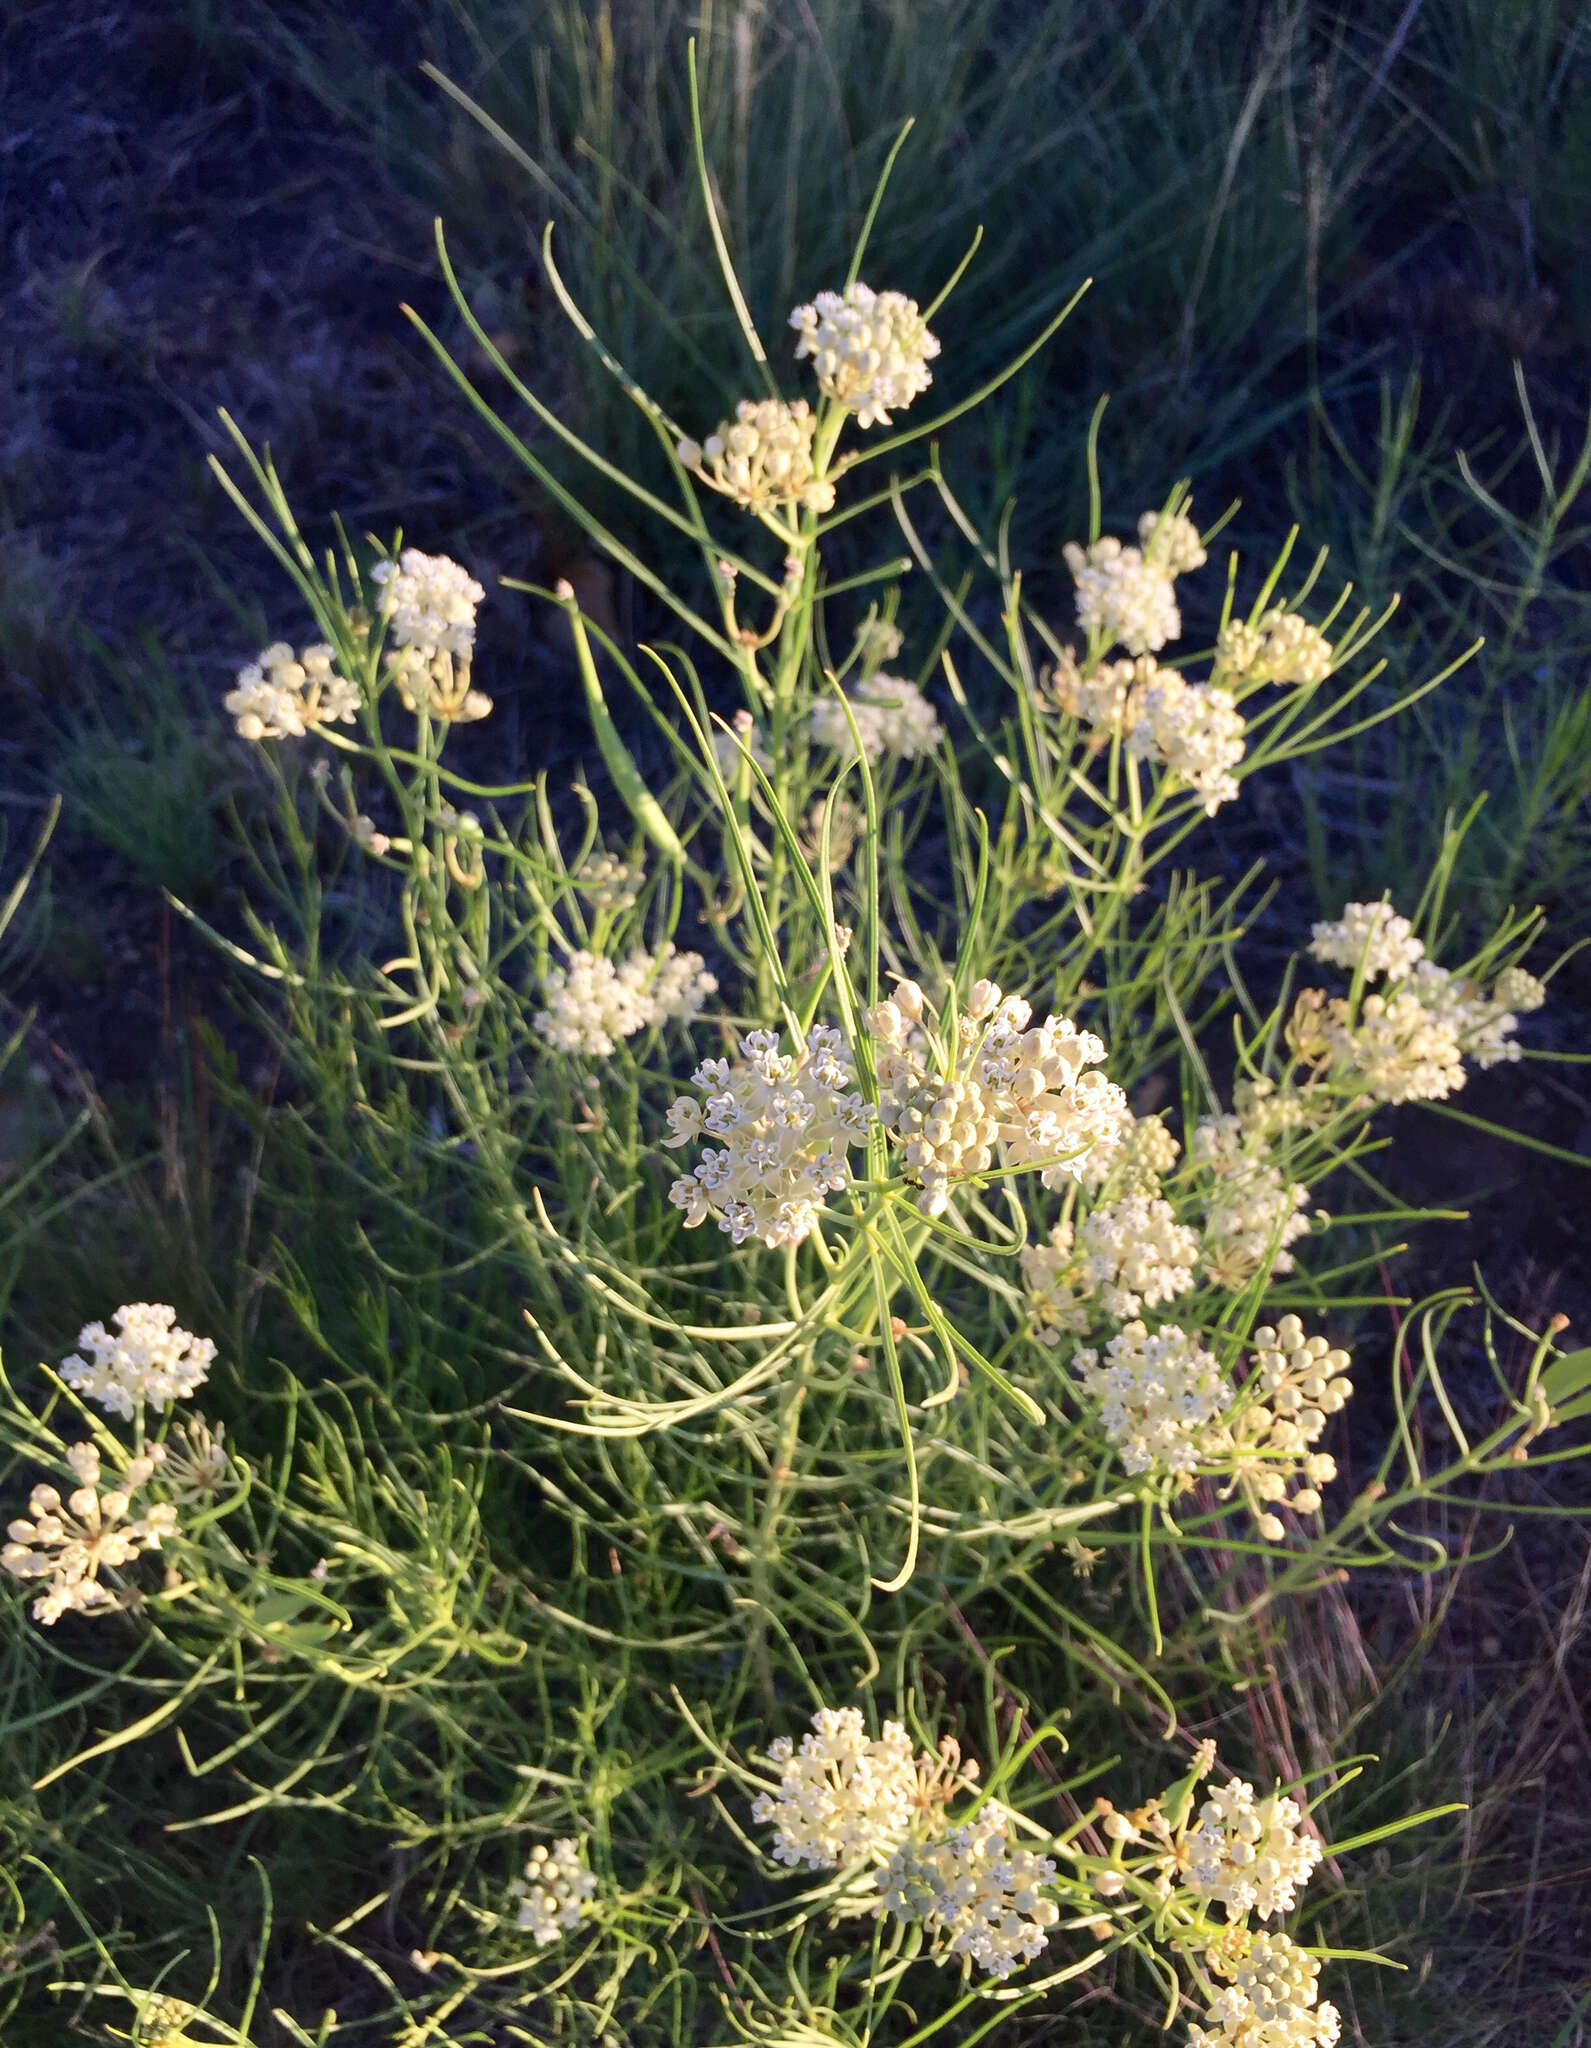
(947, 1203)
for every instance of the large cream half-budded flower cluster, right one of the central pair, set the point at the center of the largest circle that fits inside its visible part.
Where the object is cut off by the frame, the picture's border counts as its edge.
(1023, 1089)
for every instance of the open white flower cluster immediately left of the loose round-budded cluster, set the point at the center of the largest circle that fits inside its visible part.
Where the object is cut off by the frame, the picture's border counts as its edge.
(1160, 1396)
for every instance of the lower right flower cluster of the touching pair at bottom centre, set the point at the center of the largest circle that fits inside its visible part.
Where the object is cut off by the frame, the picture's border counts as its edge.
(978, 1891)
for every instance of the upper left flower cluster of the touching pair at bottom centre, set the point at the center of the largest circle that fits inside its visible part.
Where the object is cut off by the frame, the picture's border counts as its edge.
(845, 1797)
